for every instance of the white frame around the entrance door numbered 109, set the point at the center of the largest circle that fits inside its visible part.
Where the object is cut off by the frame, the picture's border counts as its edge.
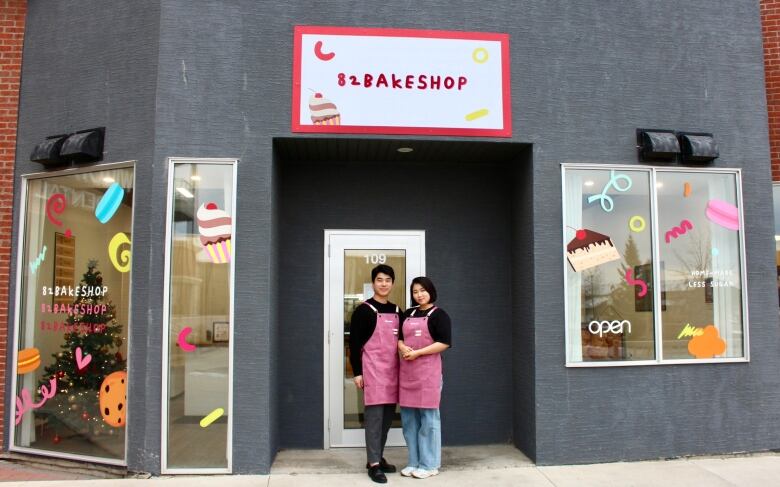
(326, 308)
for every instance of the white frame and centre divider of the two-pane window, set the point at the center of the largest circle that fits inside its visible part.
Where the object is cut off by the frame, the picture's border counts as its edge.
(657, 319)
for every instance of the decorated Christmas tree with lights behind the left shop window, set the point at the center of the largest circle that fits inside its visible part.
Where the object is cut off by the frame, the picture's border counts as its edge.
(92, 327)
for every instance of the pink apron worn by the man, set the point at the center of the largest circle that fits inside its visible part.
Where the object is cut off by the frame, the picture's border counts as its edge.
(380, 361)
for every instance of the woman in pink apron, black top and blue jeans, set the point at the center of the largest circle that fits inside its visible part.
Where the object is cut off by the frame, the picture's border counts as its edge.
(425, 333)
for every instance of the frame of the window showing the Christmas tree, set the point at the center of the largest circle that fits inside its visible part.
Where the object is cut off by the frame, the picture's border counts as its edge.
(20, 253)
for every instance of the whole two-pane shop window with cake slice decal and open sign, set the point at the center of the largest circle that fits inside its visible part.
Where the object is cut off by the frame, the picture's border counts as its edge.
(654, 265)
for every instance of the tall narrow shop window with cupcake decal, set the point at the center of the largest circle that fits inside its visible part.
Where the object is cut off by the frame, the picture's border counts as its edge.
(199, 325)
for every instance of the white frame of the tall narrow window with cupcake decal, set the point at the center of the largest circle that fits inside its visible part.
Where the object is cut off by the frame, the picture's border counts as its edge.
(169, 233)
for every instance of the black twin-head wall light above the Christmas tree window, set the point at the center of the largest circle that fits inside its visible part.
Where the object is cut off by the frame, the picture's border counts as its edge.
(82, 147)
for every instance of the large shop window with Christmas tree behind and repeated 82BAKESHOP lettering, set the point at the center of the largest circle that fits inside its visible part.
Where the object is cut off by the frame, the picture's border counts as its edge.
(73, 314)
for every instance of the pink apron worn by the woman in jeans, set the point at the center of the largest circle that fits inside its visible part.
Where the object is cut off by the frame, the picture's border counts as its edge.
(420, 379)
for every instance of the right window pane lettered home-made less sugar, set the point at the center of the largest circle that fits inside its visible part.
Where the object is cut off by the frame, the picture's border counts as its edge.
(698, 224)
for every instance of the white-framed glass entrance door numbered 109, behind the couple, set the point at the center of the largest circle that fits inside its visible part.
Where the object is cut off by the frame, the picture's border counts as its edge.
(350, 256)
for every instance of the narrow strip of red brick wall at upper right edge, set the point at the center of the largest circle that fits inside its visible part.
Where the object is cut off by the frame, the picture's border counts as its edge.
(770, 24)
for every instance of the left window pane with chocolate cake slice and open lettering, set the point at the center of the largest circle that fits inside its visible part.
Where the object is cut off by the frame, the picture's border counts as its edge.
(609, 244)
